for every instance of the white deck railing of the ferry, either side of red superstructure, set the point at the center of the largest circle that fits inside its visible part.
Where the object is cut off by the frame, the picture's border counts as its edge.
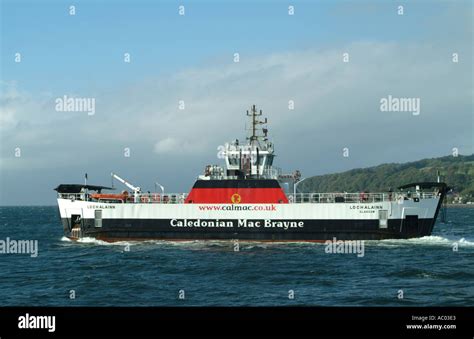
(298, 198)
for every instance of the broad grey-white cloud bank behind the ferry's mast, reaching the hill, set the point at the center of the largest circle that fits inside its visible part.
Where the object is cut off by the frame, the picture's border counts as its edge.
(336, 106)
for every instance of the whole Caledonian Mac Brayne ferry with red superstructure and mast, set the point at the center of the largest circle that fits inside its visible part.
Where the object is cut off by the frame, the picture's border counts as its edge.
(248, 199)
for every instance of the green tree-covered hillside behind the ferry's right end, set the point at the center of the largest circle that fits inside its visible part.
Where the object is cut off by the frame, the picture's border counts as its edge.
(457, 172)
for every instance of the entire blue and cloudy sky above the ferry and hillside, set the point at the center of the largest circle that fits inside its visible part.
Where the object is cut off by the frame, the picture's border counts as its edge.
(139, 131)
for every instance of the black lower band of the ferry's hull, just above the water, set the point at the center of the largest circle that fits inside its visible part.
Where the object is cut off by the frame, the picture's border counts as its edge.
(314, 230)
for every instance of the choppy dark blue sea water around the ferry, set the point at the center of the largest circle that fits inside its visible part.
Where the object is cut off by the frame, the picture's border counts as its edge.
(437, 270)
